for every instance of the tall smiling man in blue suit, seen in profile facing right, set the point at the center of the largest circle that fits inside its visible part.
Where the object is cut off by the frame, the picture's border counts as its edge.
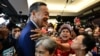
(38, 18)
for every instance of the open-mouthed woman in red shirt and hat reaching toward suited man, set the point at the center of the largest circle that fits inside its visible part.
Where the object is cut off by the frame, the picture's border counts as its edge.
(63, 41)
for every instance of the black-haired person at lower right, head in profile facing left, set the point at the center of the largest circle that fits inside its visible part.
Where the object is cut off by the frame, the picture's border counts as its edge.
(83, 44)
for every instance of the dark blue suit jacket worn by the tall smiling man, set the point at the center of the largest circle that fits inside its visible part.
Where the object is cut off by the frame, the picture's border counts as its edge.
(25, 45)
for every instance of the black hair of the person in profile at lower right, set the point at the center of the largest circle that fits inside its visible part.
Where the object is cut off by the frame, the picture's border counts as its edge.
(89, 42)
